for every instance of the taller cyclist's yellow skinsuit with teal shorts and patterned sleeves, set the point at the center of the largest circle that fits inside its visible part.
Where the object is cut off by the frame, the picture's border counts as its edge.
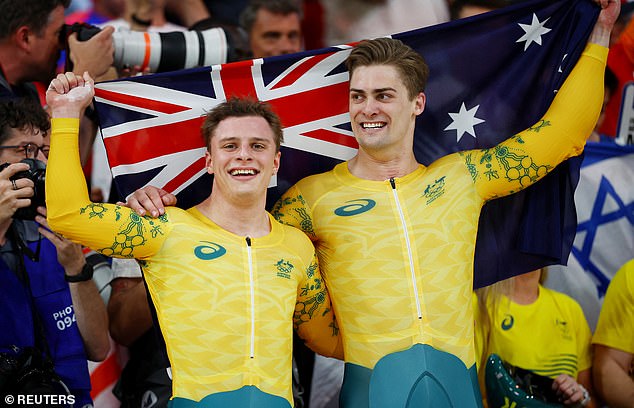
(397, 255)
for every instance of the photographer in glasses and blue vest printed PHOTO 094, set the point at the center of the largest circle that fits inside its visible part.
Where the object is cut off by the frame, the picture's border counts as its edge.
(48, 299)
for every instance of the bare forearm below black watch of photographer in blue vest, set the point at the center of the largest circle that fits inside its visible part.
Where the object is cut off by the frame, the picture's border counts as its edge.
(92, 319)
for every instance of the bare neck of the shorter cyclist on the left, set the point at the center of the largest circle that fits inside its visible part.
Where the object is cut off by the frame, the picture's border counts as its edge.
(245, 220)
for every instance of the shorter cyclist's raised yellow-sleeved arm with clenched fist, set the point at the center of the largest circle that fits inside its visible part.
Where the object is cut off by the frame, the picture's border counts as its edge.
(110, 229)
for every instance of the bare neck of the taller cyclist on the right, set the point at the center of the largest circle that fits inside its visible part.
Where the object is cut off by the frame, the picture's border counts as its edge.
(373, 167)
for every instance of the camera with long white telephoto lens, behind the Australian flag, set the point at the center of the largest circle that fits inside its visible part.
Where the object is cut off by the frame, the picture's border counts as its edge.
(169, 51)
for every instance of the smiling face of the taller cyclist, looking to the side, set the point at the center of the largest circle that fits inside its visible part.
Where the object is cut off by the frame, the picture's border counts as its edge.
(382, 114)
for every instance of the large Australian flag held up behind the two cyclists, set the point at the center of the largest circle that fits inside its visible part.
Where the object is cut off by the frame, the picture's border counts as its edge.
(492, 76)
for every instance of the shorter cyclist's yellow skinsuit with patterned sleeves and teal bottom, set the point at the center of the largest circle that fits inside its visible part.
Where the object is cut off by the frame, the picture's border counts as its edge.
(226, 304)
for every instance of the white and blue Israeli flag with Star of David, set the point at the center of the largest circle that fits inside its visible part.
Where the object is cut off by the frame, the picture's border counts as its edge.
(605, 226)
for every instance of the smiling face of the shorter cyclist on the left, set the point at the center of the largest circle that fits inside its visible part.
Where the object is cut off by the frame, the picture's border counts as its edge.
(242, 155)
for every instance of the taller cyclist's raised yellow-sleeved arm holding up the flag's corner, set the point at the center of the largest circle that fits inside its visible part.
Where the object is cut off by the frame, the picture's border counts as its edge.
(561, 133)
